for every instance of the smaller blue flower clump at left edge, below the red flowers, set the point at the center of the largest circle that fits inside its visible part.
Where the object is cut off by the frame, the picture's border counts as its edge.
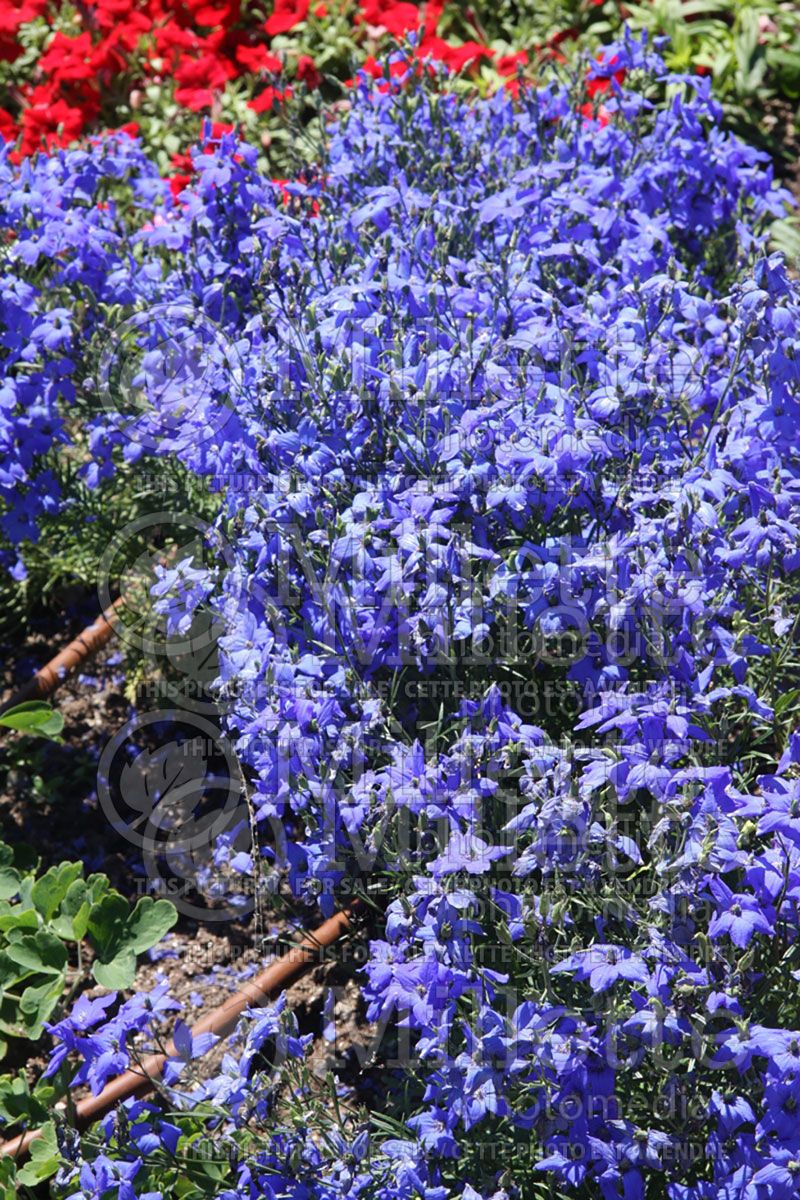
(68, 266)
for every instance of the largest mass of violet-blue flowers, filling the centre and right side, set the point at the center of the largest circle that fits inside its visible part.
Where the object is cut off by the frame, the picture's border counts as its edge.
(503, 401)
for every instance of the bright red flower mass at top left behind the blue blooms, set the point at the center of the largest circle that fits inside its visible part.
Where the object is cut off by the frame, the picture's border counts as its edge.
(94, 77)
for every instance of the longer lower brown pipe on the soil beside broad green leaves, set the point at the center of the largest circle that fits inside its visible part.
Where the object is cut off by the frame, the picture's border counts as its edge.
(222, 1021)
